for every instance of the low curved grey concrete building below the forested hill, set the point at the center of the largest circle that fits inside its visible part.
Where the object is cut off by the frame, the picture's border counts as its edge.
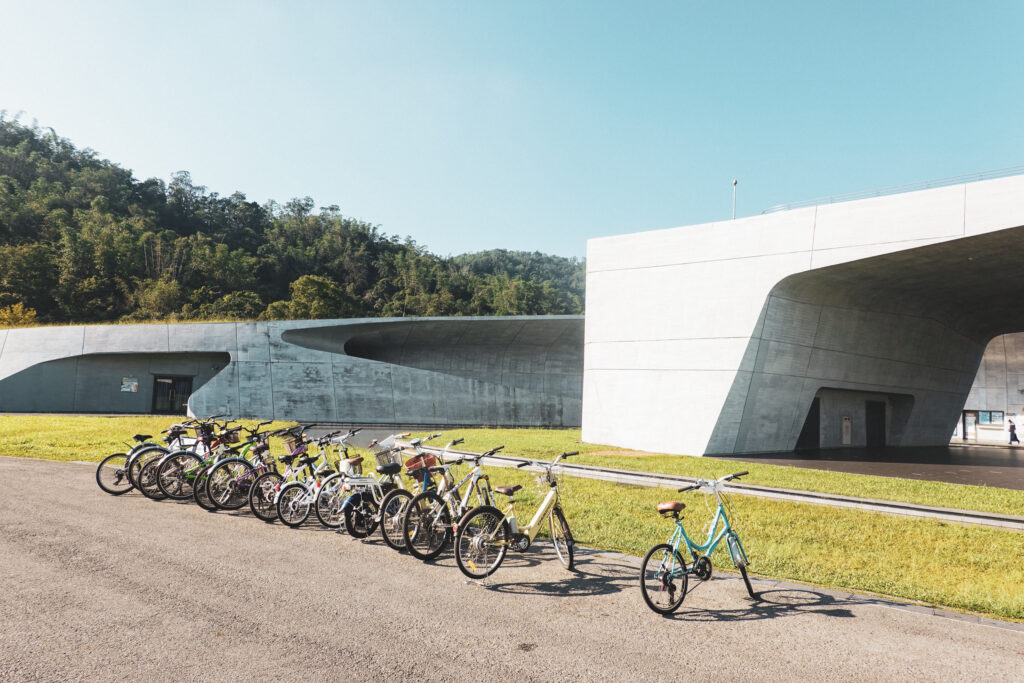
(524, 371)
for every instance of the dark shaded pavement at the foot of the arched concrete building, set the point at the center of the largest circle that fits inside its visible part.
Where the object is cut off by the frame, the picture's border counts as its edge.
(982, 465)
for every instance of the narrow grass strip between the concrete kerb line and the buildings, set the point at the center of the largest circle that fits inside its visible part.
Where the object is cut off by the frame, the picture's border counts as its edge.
(546, 444)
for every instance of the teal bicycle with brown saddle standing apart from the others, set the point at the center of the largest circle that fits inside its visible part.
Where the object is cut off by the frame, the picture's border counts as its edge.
(665, 575)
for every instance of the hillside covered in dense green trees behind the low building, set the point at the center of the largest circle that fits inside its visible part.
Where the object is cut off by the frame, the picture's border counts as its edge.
(81, 240)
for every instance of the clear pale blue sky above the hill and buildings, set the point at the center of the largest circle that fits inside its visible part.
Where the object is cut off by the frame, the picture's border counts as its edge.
(527, 125)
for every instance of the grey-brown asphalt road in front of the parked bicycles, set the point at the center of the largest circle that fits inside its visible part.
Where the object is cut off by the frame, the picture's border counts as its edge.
(100, 588)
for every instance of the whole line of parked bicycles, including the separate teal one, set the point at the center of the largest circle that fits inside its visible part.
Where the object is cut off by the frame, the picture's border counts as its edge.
(228, 467)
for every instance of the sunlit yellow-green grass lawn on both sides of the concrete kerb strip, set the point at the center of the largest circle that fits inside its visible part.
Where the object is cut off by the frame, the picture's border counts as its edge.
(964, 568)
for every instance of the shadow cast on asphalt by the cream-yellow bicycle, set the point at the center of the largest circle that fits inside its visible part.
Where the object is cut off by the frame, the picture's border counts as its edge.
(591, 576)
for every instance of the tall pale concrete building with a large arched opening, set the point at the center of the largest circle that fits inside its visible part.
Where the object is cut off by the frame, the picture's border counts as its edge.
(860, 323)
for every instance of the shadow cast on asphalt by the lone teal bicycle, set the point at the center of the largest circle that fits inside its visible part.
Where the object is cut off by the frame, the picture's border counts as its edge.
(775, 604)
